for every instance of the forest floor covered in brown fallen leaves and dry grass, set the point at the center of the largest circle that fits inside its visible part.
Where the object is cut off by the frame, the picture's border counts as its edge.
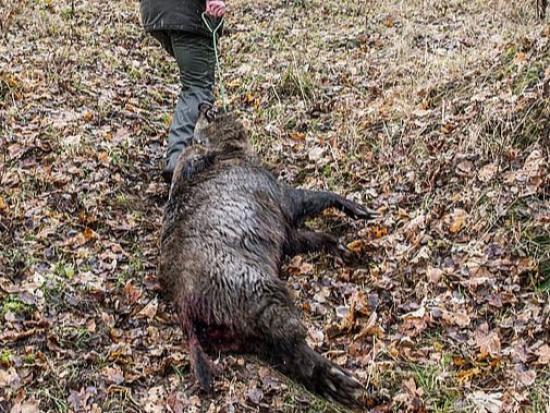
(436, 114)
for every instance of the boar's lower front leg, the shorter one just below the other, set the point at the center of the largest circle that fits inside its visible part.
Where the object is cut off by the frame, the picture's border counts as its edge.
(303, 241)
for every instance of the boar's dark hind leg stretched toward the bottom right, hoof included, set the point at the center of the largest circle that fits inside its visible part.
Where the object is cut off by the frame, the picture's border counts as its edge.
(320, 375)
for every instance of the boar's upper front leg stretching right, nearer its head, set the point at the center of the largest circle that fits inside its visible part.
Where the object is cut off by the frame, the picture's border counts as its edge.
(306, 204)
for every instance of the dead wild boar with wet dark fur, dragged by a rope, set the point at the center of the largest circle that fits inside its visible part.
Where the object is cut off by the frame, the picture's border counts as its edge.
(226, 228)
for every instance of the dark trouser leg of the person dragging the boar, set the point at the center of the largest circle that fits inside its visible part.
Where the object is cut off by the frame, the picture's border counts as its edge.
(195, 57)
